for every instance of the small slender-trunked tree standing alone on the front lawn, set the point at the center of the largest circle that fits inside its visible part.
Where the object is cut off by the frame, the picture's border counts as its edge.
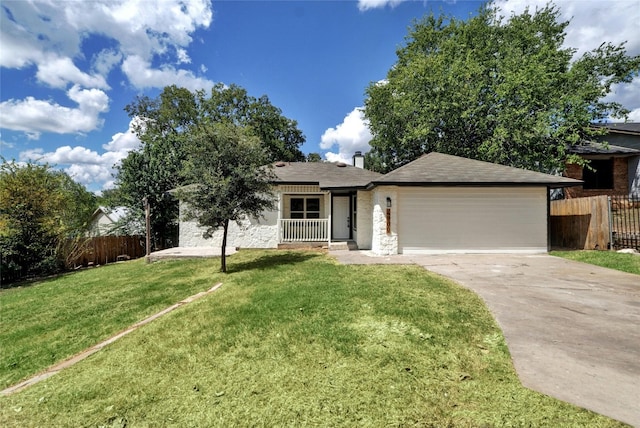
(228, 181)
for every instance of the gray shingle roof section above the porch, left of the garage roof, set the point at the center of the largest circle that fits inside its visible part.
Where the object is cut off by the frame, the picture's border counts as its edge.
(325, 174)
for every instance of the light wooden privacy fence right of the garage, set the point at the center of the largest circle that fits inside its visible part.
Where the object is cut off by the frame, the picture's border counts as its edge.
(581, 223)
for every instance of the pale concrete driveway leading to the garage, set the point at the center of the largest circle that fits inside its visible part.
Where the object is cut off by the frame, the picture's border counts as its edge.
(573, 329)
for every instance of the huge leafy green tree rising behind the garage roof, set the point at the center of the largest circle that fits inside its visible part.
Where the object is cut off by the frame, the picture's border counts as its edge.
(494, 89)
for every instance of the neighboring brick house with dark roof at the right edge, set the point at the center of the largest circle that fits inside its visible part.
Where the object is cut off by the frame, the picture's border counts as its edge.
(615, 165)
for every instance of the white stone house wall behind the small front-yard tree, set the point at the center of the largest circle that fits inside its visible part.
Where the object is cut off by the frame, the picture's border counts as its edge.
(252, 233)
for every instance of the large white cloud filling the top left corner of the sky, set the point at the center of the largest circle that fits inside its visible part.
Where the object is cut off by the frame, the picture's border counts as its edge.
(140, 27)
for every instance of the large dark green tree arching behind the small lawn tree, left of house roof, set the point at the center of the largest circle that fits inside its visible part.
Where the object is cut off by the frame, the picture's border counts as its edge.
(166, 124)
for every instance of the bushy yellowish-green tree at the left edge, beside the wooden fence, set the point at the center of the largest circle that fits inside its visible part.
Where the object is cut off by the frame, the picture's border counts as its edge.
(40, 210)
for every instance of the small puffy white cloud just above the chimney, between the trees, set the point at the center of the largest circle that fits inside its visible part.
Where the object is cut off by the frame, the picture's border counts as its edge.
(350, 136)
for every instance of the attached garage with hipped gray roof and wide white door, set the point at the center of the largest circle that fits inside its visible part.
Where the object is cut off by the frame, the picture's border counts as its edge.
(447, 204)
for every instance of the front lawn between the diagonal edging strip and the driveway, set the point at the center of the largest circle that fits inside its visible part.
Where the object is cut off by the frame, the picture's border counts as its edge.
(295, 339)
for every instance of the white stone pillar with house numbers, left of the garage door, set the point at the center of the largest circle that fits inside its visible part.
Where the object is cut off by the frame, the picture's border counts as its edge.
(381, 242)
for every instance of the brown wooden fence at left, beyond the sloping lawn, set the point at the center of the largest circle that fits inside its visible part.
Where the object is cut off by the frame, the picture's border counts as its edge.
(106, 249)
